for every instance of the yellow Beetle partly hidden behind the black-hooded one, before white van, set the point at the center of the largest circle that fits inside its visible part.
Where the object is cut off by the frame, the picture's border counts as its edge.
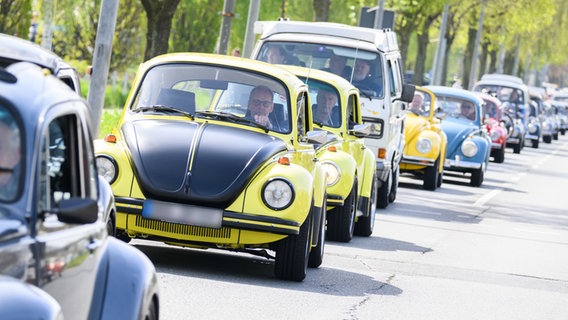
(350, 167)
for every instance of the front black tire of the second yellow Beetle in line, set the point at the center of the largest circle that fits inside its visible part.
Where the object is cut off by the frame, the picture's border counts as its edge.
(341, 220)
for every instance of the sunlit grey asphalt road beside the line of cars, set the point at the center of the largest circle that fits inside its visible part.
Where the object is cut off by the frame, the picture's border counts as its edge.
(495, 252)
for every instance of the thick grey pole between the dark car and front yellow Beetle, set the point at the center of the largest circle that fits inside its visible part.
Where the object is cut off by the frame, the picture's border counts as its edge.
(101, 62)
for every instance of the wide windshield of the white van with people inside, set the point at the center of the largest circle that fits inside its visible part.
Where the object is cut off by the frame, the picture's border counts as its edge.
(362, 68)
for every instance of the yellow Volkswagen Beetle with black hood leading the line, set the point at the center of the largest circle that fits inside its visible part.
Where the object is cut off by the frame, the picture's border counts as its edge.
(215, 151)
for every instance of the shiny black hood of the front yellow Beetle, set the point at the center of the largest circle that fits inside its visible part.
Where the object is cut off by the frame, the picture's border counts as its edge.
(197, 163)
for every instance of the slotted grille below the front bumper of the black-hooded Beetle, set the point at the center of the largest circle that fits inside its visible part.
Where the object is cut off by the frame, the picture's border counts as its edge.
(183, 229)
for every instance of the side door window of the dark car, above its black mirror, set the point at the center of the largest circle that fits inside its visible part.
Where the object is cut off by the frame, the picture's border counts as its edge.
(67, 165)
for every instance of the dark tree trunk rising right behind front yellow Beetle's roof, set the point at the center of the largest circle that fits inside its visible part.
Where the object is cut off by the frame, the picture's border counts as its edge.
(160, 15)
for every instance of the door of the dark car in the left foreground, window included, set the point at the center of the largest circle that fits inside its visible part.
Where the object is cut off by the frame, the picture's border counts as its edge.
(66, 255)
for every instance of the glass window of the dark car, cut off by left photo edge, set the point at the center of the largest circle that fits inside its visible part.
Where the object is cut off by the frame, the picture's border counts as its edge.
(11, 148)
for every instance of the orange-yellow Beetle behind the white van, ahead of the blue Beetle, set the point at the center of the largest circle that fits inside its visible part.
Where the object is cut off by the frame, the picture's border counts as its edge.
(425, 142)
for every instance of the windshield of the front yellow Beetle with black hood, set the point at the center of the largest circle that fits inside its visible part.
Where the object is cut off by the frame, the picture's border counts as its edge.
(218, 92)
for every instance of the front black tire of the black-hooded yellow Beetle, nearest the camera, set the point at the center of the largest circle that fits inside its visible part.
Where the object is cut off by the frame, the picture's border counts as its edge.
(292, 253)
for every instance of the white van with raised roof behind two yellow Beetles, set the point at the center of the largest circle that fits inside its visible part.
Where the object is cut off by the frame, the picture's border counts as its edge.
(371, 60)
